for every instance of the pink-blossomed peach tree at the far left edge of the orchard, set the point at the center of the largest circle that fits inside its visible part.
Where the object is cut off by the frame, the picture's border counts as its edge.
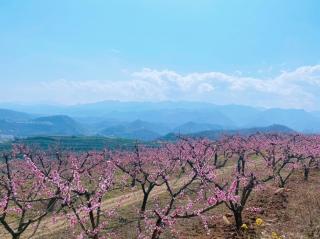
(26, 194)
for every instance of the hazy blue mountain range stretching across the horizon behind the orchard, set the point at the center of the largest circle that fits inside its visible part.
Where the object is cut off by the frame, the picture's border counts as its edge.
(150, 121)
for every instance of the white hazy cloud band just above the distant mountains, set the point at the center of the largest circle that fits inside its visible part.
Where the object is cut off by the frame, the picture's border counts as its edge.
(298, 88)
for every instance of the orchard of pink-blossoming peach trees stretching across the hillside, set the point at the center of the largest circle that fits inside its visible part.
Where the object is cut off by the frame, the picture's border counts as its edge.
(191, 176)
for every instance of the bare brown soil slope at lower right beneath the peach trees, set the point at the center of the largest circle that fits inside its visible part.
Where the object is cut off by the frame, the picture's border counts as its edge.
(292, 212)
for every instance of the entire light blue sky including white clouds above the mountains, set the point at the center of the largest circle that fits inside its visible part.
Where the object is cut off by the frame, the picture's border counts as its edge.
(254, 52)
